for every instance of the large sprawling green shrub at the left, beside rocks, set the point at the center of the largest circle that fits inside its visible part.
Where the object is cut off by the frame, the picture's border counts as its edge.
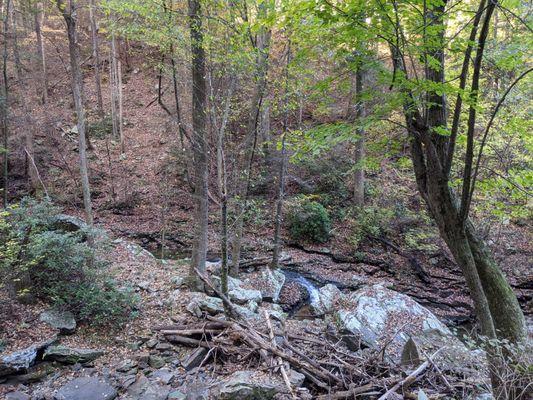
(37, 260)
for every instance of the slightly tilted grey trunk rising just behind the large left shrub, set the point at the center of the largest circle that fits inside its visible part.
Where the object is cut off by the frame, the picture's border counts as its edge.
(70, 16)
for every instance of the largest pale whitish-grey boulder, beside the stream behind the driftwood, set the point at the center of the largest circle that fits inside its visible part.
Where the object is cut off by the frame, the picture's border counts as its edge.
(373, 314)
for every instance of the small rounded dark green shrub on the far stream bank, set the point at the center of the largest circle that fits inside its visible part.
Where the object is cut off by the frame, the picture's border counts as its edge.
(308, 220)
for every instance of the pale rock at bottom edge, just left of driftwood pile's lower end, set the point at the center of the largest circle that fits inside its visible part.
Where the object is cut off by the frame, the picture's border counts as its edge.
(247, 385)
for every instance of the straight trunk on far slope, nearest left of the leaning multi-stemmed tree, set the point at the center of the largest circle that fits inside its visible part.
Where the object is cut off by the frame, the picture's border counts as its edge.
(359, 153)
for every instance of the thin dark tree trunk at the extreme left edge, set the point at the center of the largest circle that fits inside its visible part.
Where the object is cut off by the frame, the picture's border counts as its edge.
(5, 104)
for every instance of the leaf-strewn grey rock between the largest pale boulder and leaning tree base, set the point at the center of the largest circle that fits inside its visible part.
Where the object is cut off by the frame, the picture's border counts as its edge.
(454, 356)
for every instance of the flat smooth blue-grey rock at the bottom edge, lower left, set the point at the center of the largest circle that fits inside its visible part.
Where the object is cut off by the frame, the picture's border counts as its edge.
(86, 388)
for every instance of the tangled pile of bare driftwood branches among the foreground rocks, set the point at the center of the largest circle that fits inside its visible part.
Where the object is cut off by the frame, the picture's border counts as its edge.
(331, 370)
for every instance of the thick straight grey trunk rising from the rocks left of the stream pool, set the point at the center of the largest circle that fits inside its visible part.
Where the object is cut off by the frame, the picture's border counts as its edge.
(199, 144)
